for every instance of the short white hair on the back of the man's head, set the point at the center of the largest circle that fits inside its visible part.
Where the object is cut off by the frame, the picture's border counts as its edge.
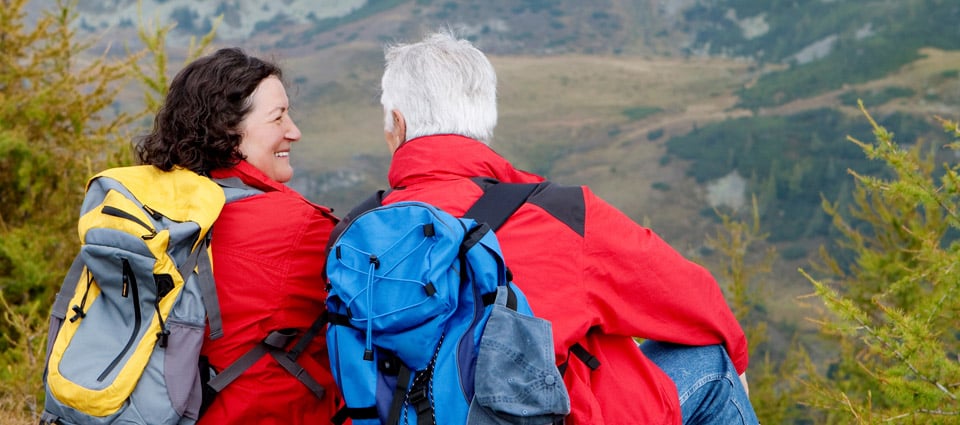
(441, 85)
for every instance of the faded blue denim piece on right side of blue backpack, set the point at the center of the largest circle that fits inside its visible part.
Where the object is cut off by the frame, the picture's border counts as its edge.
(516, 380)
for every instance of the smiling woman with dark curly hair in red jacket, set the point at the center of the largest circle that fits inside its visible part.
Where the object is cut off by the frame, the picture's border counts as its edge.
(227, 115)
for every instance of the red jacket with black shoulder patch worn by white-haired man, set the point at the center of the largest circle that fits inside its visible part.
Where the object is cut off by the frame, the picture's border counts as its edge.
(597, 275)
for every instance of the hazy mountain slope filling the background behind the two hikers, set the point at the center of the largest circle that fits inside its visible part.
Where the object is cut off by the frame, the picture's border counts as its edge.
(590, 91)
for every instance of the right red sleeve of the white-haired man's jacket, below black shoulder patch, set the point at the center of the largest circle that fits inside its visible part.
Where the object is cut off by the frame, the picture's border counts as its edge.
(640, 286)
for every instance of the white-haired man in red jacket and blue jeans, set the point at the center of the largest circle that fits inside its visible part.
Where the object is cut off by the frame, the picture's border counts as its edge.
(598, 276)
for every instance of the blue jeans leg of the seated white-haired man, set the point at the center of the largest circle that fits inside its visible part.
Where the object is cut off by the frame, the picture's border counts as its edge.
(709, 387)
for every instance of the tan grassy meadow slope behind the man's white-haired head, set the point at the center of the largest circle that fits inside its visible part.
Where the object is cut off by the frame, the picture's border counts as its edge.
(573, 118)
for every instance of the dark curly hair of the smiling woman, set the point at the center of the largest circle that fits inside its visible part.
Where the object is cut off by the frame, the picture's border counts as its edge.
(196, 128)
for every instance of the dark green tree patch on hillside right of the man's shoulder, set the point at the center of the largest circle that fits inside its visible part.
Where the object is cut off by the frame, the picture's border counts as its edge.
(791, 161)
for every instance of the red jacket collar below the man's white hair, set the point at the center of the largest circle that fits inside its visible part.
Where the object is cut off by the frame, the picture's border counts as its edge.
(450, 157)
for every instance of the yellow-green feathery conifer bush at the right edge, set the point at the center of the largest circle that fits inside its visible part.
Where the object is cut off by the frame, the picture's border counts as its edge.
(888, 310)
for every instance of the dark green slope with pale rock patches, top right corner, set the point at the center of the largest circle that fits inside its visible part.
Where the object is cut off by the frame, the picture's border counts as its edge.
(827, 44)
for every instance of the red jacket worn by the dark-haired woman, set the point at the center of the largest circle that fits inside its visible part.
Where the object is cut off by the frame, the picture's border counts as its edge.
(268, 255)
